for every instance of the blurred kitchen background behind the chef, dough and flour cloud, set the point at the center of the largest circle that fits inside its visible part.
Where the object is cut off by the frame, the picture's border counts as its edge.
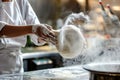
(54, 12)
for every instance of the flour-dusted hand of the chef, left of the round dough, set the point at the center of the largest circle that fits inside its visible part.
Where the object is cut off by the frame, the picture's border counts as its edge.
(45, 33)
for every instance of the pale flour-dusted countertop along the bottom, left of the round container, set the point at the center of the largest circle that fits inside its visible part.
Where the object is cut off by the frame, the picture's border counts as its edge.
(64, 73)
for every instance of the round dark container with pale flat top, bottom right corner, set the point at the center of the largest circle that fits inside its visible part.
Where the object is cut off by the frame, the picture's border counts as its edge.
(103, 71)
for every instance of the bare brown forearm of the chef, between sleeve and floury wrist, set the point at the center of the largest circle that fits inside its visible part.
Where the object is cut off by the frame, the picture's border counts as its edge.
(14, 31)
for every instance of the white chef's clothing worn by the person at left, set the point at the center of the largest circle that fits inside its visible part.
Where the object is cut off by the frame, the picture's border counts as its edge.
(17, 12)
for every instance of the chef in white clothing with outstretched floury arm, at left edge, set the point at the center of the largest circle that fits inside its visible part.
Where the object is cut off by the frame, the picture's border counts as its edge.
(17, 19)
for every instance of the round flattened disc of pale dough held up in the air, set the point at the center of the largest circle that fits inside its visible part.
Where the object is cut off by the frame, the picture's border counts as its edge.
(71, 42)
